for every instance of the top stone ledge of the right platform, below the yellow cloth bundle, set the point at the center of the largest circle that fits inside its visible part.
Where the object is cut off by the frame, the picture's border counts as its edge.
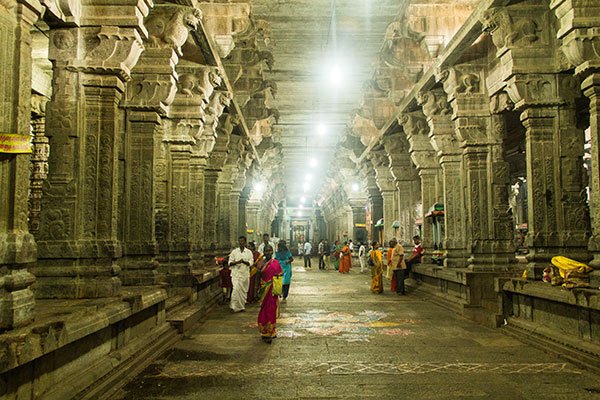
(580, 297)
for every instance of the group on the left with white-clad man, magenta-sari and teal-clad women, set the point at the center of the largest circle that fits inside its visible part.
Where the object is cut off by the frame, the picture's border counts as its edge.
(249, 276)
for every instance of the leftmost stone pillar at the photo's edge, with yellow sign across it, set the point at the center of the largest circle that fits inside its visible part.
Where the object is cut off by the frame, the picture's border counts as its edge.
(17, 249)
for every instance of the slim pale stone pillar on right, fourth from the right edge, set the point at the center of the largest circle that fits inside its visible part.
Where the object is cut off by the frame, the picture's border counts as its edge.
(445, 143)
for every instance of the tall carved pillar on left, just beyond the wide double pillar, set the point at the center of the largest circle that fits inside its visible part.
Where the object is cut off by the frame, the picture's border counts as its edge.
(150, 93)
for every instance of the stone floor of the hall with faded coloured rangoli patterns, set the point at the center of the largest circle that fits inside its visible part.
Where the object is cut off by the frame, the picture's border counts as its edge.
(336, 340)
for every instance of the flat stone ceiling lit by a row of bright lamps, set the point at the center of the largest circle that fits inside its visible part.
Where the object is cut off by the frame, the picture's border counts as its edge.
(309, 37)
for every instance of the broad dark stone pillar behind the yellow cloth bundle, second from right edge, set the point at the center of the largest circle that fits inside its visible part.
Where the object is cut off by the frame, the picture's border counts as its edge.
(557, 214)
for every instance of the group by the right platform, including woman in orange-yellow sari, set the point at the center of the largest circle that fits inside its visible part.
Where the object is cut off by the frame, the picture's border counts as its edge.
(397, 268)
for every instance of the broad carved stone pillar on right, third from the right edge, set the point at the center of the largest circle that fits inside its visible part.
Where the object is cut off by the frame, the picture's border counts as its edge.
(485, 174)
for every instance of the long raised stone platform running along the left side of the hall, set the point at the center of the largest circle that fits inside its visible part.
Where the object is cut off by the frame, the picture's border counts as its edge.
(80, 348)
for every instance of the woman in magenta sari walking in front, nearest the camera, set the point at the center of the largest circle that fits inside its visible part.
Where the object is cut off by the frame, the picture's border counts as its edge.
(267, 316)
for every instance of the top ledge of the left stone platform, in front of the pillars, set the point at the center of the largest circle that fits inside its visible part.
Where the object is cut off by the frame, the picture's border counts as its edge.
(74, 320)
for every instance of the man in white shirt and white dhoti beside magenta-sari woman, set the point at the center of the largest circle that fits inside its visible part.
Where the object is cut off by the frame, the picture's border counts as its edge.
(240, 260)
